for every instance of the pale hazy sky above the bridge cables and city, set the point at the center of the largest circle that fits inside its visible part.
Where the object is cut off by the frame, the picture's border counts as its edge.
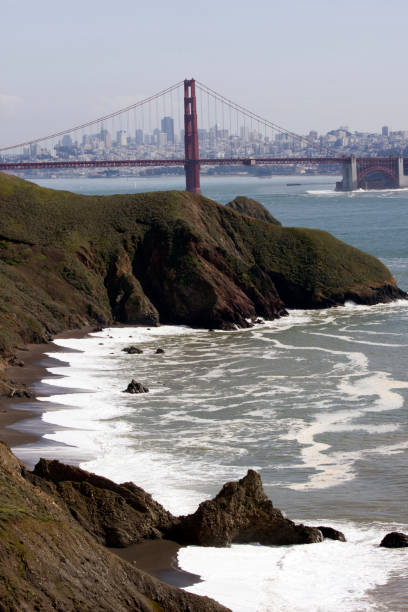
(303, 64)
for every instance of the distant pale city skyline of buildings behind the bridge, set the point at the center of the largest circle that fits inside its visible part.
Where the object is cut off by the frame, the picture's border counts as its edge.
(216, 142)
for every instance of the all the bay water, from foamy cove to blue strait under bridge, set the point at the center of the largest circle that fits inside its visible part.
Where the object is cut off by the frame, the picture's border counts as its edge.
(316, 402)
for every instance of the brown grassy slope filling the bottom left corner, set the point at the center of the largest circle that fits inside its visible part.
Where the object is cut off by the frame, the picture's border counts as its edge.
(49, 562)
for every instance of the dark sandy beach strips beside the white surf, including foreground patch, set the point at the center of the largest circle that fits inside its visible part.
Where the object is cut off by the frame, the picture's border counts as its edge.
(156, 557)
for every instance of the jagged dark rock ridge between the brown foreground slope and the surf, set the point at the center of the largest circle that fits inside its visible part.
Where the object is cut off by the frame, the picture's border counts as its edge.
(118, 515)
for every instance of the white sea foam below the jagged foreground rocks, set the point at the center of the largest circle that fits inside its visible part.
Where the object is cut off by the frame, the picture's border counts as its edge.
(326, 577)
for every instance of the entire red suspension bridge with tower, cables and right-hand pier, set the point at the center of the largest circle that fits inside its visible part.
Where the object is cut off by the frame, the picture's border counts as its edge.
(228, 140)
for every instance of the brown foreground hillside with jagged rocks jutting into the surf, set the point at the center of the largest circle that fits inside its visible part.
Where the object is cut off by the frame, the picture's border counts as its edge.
(56, 520)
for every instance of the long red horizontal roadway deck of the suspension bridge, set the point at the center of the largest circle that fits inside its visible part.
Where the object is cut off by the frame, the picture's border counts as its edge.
(225, 161)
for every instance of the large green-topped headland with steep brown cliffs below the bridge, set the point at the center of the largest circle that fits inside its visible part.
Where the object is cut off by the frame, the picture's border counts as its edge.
(175, 257)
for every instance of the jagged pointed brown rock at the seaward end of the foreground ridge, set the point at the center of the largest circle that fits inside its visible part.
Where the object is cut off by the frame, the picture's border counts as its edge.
(241, 513)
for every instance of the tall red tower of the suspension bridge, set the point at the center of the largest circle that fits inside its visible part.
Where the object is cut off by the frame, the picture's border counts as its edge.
(192, 157)
